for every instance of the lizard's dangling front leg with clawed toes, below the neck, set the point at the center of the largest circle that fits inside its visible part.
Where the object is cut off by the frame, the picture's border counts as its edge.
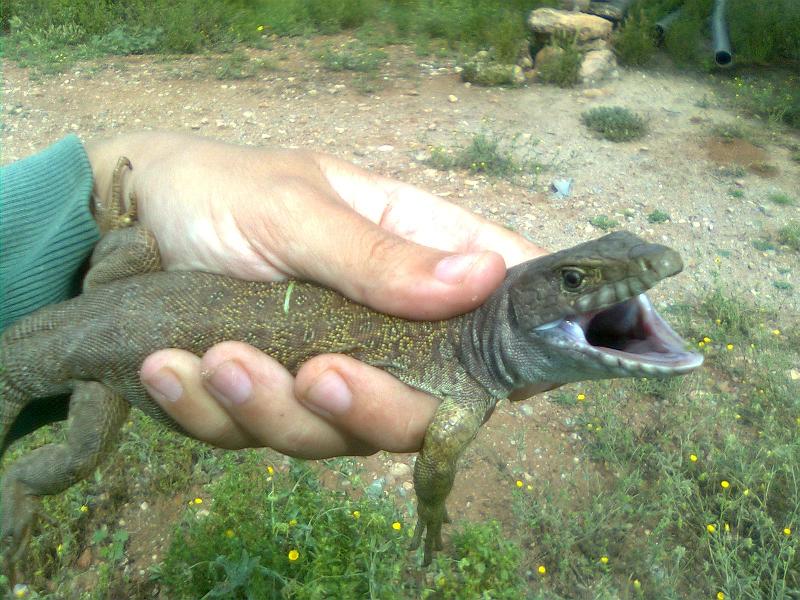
(453, 427)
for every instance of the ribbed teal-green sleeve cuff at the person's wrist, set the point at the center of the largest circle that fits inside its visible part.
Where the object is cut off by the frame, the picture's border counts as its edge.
(46, 228)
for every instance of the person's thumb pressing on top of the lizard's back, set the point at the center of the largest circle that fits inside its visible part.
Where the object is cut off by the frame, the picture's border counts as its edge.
(375, 267)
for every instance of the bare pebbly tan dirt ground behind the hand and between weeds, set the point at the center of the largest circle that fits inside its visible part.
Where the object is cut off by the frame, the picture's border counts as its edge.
(389, 123)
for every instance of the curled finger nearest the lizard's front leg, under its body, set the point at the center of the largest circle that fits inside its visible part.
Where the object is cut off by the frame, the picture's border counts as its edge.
(366, 402)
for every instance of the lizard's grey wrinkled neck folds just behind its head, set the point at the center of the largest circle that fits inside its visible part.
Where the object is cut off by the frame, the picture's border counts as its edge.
(486, 345)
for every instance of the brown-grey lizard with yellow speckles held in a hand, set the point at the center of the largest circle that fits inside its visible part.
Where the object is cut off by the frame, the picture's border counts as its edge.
(577, 314)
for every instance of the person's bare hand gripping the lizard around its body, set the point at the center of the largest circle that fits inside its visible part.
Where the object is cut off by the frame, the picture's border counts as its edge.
(265, 215)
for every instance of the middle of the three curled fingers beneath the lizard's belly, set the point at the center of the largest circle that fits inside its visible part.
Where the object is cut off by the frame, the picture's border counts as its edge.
(258, 394)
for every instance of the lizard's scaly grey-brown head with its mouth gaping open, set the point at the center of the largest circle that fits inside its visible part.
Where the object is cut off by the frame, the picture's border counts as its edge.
(586, 306)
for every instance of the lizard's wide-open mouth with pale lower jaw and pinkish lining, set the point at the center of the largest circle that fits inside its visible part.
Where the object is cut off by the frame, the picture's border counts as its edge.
(630, 336)
